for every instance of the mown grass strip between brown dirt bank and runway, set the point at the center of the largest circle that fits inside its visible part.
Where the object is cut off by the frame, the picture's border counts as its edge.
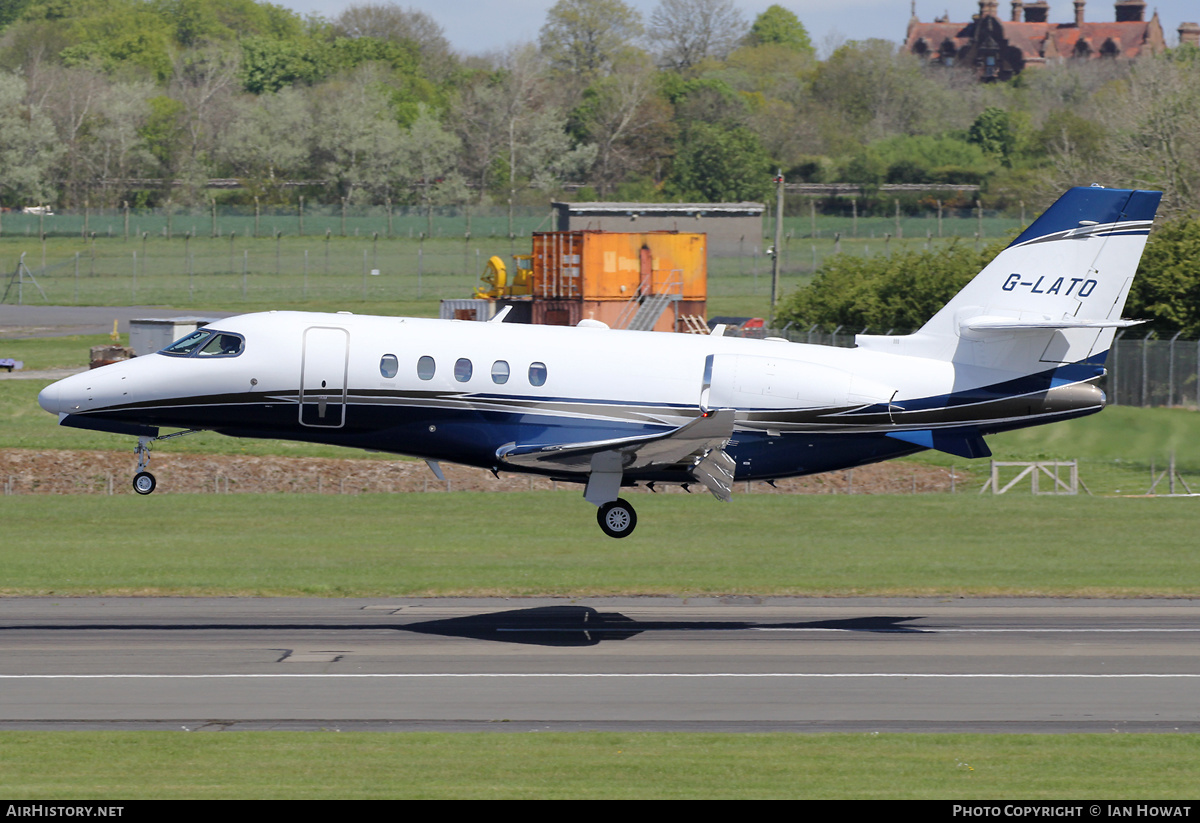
(547, 544)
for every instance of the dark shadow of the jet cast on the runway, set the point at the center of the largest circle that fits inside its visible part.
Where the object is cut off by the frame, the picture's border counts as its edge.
(584, 626)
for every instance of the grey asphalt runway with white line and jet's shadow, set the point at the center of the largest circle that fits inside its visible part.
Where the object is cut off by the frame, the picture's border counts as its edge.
(616, 664)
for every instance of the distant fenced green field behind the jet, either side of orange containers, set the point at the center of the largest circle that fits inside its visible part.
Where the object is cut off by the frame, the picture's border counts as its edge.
(335, 273)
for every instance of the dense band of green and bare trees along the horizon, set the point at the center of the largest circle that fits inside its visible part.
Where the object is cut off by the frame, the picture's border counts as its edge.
(105, 103)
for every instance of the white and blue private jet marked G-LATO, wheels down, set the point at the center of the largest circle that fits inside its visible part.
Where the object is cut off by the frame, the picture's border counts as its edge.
(1023, 345)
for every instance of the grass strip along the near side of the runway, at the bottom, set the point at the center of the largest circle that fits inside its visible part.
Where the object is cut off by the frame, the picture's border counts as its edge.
(604, 766)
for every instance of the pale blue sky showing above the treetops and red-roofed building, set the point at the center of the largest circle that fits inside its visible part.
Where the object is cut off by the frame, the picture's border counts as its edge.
(477, 27)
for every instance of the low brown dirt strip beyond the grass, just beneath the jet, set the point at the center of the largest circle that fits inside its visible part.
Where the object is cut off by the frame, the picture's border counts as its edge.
(55, 472)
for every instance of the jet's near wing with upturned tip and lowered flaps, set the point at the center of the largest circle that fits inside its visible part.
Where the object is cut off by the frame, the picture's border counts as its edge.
(698, 444)
